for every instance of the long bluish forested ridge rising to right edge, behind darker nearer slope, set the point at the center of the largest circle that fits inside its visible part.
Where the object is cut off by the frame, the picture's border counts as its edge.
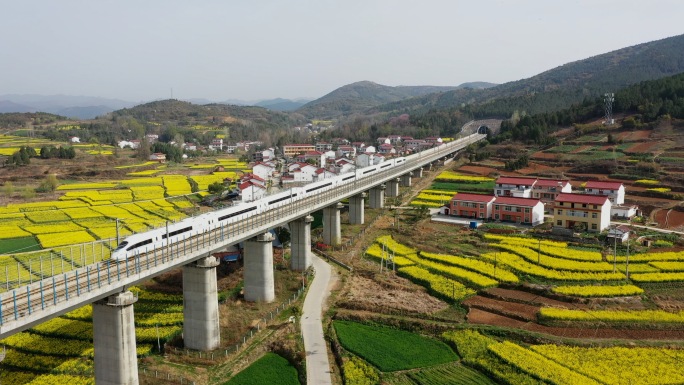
(560, 87)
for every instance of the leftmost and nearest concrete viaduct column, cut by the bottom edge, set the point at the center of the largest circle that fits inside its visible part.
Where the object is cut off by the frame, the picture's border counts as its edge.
(116, 361)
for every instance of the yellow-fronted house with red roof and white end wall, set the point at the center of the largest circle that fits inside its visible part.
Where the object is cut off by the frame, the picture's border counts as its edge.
(582, 211)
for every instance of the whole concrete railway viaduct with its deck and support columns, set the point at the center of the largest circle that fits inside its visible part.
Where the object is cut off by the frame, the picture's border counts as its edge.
(105, 284)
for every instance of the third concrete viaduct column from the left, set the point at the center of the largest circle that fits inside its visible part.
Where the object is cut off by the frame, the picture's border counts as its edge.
(259, 283)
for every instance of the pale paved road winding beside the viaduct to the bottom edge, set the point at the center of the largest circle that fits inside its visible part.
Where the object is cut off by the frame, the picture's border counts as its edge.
(317, 365)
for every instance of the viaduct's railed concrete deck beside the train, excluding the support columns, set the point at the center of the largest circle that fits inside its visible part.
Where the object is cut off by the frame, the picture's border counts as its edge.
(27, 305)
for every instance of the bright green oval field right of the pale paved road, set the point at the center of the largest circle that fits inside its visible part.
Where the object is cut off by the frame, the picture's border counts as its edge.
(390, 349)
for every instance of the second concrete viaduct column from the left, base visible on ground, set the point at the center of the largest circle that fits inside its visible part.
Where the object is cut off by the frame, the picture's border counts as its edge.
(200, 305)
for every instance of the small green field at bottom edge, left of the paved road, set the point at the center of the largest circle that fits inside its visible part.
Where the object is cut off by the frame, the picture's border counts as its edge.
(270, 369)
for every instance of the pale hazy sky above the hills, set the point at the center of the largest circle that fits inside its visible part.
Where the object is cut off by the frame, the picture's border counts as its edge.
(257, 49)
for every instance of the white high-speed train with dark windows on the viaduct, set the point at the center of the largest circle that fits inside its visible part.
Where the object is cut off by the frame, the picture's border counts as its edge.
(142, 242)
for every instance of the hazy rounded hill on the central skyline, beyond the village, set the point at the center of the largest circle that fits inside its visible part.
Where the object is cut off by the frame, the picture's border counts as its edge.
(359, 96)
